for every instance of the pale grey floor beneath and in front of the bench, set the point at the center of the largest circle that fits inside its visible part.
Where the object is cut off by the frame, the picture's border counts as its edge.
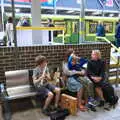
(35, 113)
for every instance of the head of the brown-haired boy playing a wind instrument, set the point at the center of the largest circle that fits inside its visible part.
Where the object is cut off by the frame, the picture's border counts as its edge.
(41, 60)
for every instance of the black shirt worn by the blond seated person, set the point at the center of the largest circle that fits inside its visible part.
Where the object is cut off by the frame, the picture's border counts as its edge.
(96, 68)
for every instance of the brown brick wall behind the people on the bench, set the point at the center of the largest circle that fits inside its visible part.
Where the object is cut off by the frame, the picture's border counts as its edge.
(23, 57)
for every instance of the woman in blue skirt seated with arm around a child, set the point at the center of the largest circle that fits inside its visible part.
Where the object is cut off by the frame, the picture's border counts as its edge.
(73, 84)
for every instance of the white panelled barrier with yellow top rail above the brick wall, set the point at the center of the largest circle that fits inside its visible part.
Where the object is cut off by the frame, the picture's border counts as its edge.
(30, 36)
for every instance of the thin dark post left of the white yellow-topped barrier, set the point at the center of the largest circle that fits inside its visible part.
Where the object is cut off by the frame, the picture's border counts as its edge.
(14, 23)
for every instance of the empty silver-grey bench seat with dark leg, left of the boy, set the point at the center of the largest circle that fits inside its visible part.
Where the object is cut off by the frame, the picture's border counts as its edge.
(18, 85)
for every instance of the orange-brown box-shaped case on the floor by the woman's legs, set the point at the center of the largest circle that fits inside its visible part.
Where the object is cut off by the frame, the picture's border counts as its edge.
(70, 103)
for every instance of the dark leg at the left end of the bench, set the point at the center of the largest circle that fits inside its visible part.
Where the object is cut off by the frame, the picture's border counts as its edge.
(7, 110)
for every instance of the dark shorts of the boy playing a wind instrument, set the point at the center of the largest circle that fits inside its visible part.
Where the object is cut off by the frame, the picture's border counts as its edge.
(44, 90)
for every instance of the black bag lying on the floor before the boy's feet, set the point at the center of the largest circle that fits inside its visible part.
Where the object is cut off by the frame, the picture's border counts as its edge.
(59, 115)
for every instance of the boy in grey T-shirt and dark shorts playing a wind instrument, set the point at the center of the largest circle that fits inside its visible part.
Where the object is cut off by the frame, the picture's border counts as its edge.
(40, 79)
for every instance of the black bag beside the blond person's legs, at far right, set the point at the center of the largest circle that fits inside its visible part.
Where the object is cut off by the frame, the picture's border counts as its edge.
(108, 93)
